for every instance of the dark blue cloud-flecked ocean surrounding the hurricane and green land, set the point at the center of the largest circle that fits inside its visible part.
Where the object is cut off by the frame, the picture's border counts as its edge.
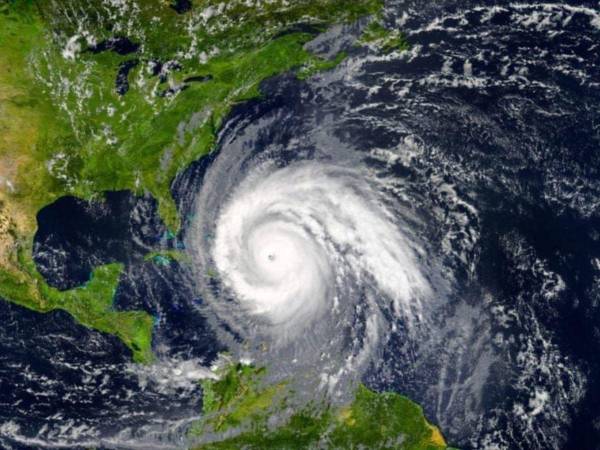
(489, 126)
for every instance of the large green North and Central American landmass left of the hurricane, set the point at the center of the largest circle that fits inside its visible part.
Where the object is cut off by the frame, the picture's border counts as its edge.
(67, 129)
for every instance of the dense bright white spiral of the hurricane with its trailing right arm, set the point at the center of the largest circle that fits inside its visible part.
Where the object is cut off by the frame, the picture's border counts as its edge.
(290, 242)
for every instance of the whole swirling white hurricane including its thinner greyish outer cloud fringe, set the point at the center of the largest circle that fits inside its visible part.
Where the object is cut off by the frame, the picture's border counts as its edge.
(311, 258)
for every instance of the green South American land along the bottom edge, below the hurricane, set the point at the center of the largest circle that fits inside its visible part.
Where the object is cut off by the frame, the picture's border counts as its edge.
(239, 408)
